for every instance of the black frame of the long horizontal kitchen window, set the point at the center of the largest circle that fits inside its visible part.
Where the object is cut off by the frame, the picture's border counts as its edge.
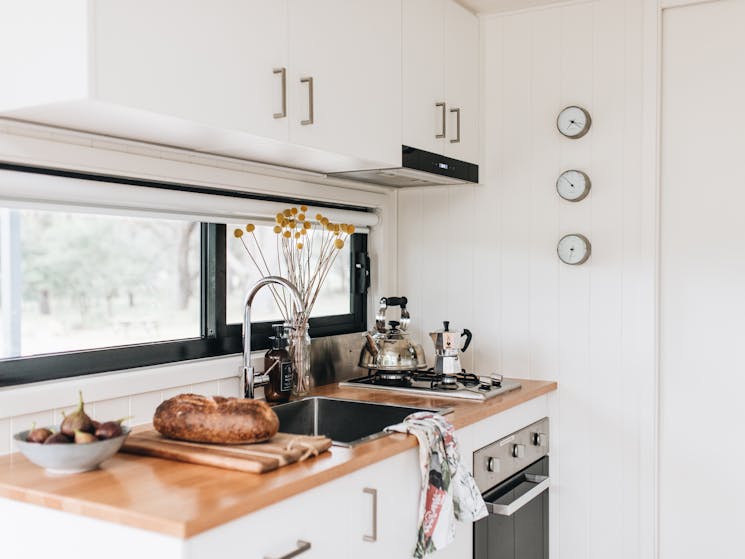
(217, 337)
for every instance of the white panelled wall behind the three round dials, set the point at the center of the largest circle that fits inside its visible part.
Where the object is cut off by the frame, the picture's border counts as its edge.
(484, 257)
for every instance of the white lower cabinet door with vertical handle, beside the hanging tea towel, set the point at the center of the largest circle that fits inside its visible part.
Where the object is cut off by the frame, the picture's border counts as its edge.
(391, 490)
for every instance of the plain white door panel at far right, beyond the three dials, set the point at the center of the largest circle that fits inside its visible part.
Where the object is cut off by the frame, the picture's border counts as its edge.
(702, 282)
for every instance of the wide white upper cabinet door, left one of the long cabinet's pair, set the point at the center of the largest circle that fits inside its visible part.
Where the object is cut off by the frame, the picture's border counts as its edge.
(205, 62)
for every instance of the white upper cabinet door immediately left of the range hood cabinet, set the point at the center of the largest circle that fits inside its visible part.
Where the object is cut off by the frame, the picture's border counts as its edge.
(352, 51)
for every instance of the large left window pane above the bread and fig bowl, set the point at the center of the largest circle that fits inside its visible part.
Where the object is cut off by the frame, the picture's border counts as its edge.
(71, 281)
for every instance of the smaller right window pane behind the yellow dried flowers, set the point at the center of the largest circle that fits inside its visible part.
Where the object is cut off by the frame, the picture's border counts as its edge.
(241, 274)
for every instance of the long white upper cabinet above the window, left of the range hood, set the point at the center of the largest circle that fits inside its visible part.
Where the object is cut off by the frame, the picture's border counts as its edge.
(222, 76)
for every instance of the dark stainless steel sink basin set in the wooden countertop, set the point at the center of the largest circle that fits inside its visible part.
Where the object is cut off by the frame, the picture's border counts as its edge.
(345, 422)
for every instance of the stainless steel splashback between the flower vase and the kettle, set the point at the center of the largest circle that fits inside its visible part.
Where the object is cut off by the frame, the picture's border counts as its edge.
(335, 358)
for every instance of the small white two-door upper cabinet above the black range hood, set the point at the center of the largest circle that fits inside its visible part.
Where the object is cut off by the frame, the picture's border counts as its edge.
(441, 78)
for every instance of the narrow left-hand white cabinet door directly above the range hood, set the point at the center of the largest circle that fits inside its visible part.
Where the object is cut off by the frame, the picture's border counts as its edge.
(423, 76)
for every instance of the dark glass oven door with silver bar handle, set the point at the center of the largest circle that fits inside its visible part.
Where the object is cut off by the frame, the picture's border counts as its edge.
(517, 525)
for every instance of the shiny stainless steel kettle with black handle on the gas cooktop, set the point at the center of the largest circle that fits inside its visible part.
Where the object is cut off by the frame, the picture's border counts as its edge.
(389, 347)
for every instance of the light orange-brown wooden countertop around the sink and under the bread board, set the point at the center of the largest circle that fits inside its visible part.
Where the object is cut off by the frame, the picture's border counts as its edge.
(183, 500)
